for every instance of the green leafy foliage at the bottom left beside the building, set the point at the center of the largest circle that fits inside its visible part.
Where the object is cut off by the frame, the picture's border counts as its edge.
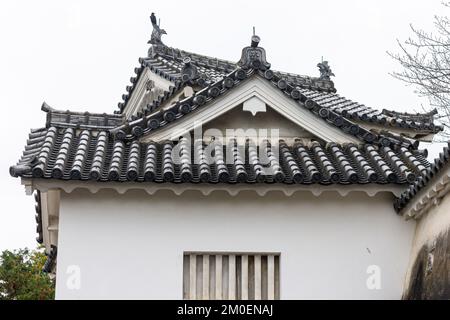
(21, 276)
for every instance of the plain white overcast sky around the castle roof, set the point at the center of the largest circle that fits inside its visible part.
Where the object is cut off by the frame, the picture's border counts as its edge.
(79, 55)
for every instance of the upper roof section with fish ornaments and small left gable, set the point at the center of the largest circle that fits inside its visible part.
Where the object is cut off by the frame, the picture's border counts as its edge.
(170, 83)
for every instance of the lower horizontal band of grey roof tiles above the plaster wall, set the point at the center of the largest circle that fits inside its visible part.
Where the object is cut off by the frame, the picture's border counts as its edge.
(67, 153)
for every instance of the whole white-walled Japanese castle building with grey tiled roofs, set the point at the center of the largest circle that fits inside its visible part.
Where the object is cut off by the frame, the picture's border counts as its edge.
(230, 180)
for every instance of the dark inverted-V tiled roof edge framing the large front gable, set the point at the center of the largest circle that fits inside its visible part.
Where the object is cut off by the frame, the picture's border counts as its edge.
(323, 105)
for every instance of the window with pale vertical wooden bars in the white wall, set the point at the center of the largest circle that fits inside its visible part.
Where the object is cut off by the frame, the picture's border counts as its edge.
(231, 276)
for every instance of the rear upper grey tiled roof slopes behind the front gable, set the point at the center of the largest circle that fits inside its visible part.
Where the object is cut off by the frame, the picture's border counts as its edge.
(168, 63)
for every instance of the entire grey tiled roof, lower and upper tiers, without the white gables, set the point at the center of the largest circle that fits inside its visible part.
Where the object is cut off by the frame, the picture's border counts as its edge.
(106, 147)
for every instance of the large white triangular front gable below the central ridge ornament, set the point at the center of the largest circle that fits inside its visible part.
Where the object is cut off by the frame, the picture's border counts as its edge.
(253, 97)
